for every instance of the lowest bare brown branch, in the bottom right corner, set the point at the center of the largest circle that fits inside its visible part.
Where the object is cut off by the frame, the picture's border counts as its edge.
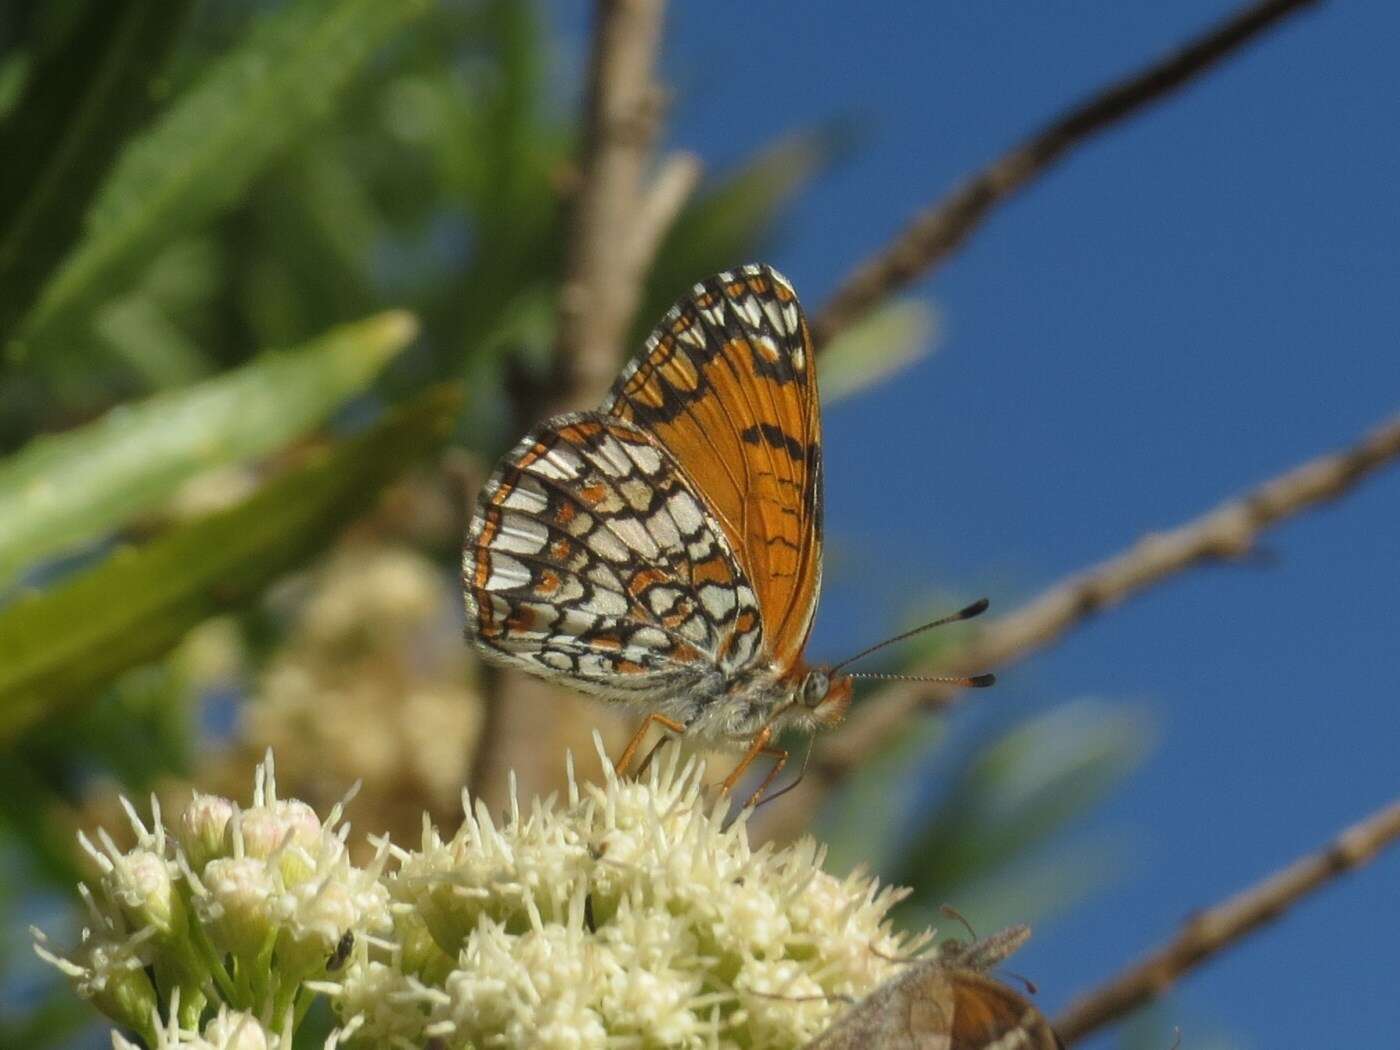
(1217, 929)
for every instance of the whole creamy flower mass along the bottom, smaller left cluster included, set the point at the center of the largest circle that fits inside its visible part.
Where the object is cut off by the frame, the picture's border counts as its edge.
(626, 916)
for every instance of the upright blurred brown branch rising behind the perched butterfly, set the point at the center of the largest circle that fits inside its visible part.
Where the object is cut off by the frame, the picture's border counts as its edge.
(603, 275)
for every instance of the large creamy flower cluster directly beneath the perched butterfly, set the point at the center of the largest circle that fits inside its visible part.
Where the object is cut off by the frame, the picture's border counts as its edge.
(626, 918)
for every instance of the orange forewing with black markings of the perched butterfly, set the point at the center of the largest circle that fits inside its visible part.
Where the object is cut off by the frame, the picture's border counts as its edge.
(727, 386)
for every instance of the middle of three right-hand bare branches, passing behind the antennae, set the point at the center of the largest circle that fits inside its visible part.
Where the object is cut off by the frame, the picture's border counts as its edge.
(1230, 531)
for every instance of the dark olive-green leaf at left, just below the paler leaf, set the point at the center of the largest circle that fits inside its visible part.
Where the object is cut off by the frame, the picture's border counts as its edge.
(59, 647)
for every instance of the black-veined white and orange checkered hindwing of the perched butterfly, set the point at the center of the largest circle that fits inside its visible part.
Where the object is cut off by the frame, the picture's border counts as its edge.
(591, 558)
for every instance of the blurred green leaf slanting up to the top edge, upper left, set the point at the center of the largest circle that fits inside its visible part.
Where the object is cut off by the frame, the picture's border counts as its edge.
(202, 155)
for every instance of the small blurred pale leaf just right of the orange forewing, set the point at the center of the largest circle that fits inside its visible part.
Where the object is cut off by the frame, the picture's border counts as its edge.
(884, 342)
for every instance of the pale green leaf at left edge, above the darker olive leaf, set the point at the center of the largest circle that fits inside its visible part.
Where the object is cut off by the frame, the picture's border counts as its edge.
(69, 488)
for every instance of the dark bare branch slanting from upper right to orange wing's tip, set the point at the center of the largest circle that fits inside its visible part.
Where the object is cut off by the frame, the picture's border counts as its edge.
(934, 234)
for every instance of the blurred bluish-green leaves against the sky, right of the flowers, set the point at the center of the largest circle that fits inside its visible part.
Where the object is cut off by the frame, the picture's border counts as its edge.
(971, 835)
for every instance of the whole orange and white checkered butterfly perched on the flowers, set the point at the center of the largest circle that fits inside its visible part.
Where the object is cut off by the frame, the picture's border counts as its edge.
(666, 551)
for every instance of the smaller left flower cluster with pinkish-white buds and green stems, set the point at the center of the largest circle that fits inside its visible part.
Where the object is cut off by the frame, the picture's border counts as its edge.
(236, 908)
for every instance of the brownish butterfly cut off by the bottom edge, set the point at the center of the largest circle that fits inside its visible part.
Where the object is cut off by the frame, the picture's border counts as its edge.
(947, 1003)
